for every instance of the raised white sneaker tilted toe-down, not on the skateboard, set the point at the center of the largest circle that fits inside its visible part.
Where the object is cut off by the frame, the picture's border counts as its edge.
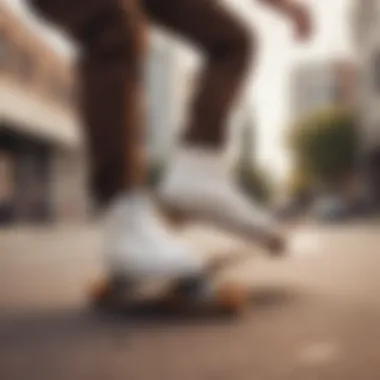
(198, 185)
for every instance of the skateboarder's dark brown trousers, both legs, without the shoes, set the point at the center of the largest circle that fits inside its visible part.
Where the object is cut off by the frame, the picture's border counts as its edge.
(112, 36)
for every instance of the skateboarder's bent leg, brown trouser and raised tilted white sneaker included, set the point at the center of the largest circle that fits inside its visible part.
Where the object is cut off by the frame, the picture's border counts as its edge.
(197, 182)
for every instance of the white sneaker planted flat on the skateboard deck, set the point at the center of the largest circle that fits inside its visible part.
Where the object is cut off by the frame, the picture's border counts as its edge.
(138, 246)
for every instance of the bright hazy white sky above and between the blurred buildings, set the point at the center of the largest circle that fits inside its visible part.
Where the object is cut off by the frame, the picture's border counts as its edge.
(268, 87)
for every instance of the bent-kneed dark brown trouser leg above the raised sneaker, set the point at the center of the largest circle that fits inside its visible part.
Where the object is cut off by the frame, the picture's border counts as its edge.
(227, 46)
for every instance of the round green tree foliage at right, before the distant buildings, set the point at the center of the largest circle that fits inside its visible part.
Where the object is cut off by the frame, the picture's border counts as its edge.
(325, 145)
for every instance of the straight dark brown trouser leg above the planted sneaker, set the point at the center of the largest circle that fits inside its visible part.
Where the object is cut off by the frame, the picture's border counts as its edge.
(110, 37)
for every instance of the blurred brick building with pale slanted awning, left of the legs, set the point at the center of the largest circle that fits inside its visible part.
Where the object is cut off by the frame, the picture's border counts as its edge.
(40, 147)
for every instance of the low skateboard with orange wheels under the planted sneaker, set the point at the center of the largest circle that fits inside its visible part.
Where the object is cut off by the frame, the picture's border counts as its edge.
(199, 294)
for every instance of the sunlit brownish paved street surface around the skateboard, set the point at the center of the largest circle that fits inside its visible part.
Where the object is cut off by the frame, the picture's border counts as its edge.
(314, 315)
